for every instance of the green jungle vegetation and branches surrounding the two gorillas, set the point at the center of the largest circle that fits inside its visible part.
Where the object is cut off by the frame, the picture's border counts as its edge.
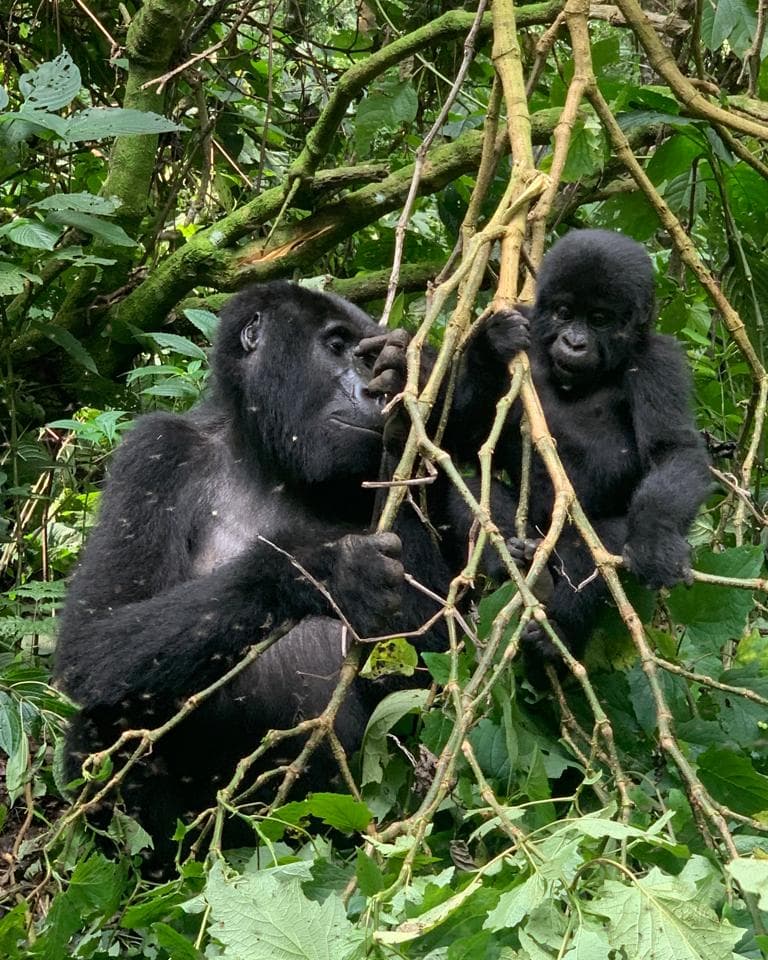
(417, 158)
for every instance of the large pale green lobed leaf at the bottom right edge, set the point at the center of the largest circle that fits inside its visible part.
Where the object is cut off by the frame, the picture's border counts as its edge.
(660, 918)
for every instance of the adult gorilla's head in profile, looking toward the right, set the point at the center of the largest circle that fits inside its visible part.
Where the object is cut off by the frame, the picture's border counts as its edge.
(287, 356)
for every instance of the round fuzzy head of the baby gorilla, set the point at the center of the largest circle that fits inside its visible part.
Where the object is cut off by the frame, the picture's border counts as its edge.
(595, 305)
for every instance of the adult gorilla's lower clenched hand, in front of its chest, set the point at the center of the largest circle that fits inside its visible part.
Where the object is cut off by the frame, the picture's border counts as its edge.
(366, 581)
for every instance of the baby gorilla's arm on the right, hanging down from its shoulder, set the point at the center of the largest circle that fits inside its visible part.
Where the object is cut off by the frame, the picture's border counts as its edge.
(675, 468)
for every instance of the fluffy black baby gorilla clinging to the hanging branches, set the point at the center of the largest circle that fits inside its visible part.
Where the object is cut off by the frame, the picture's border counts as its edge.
(616, 396)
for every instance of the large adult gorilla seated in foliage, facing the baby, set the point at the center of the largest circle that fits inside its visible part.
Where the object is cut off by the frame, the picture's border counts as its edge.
(181, 574)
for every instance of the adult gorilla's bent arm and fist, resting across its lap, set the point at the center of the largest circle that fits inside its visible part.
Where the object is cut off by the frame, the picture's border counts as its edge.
(139, 626)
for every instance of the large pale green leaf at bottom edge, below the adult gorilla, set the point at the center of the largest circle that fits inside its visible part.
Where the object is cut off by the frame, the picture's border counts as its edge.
(258, 917)
